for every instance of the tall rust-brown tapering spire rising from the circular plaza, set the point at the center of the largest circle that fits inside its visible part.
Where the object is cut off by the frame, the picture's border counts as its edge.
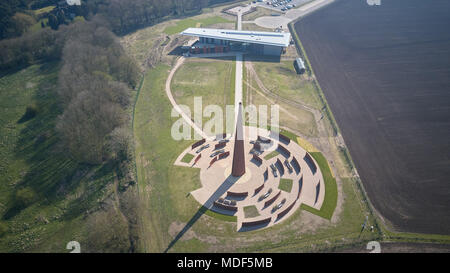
(239, 154)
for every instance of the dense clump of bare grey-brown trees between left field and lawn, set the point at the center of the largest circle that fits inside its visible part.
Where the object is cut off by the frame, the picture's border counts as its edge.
(94, 86)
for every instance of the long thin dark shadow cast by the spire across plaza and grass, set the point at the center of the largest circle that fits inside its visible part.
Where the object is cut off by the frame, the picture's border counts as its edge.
(221, 190)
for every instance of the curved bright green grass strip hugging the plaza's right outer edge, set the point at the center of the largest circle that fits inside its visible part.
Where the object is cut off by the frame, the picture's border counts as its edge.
(330, 200)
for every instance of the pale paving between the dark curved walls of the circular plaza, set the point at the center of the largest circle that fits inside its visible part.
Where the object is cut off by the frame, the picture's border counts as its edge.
(217, 182)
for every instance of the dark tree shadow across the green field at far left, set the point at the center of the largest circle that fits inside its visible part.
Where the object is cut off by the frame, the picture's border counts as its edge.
(50, 173)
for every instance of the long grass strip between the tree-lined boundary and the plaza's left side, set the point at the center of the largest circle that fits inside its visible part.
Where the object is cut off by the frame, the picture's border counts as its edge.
(164, 187)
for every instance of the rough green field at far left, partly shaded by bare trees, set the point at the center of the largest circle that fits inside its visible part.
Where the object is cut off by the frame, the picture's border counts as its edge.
(31, 159)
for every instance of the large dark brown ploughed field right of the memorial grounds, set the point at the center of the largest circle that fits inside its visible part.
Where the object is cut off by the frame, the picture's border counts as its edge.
(385, 71)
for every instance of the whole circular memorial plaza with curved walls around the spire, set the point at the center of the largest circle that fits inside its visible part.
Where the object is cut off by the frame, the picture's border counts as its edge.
(278, 176)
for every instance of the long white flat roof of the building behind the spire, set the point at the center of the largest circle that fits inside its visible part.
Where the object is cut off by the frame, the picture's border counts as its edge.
(256, 37)
